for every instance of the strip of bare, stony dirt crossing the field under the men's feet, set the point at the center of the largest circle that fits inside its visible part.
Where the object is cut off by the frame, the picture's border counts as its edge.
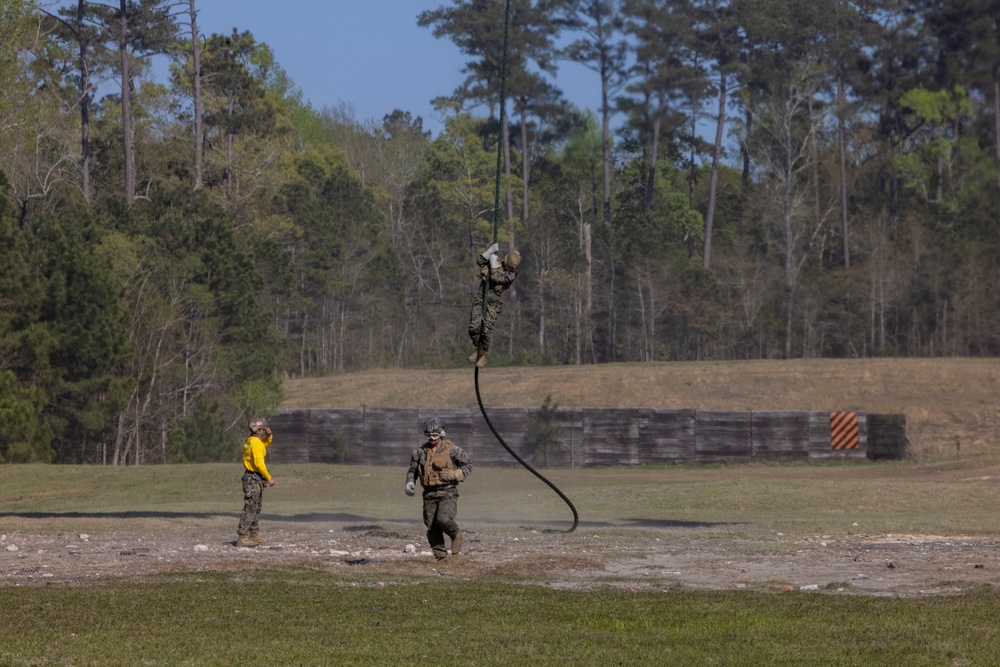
(671, 558)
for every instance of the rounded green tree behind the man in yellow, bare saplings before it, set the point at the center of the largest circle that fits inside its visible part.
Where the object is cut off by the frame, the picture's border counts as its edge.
(199, 330)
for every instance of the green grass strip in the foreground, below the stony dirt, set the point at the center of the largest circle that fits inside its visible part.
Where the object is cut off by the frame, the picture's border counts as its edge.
(295, 617)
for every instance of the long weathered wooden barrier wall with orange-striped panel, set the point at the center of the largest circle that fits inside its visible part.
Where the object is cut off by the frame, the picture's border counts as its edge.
(588, 437)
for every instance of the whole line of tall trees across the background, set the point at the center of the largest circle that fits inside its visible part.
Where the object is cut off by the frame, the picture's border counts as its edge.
(792, 179)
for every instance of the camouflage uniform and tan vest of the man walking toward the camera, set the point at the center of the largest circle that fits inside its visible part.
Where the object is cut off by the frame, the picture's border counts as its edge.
(440, 497)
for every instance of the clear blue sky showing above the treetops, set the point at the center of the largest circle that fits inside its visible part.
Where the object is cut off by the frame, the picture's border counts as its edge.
(369, 54)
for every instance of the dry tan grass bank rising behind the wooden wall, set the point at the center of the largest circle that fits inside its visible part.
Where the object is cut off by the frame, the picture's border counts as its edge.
(948, 403)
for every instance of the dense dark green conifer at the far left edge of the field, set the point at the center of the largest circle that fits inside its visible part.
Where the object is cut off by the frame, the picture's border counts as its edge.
(63, 334)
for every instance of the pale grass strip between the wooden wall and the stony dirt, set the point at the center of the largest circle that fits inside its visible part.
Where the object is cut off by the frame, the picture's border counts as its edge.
(944, 498)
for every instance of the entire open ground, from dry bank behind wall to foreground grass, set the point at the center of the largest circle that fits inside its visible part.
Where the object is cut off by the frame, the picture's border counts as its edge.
(891, 563)
